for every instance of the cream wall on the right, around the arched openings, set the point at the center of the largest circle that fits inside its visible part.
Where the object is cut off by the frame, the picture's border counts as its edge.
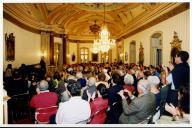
(178, 23)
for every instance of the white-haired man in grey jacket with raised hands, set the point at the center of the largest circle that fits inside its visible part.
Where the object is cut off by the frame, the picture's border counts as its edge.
(141, 107)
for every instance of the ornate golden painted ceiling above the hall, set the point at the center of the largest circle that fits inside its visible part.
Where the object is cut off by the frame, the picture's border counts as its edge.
(75, 19)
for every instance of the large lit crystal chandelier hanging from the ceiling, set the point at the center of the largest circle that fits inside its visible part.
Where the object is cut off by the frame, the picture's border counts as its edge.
(104, 43)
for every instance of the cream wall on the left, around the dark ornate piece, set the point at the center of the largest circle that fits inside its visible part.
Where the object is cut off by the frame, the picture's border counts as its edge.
(27, 45)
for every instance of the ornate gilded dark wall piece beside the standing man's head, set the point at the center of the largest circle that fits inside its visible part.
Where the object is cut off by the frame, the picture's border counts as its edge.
(175, 47)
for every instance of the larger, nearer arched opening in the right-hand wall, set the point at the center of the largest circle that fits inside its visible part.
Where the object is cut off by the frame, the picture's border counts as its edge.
(156, 49)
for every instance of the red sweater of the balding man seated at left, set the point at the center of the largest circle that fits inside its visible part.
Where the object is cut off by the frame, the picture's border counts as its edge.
(44, 99)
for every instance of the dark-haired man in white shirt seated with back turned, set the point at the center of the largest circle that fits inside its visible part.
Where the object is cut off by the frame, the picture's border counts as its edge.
(74, 111)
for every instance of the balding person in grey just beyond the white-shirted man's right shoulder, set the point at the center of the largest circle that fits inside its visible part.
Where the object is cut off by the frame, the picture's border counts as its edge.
(91, 88)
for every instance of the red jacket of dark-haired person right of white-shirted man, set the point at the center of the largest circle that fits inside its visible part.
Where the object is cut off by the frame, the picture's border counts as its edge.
(97, 105)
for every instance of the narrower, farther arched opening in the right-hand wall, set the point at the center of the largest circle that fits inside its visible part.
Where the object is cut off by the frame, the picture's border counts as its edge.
(132, 54)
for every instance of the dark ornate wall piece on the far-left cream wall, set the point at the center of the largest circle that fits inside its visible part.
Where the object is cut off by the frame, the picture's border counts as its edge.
(10, 47)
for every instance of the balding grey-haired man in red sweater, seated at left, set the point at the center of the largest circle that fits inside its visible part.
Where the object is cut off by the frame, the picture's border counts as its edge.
(43, 98)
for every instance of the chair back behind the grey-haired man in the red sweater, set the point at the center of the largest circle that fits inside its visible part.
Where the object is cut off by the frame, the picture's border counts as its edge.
(42, 115)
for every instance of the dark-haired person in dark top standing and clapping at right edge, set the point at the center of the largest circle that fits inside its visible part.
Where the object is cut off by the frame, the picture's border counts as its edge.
(178, 77)
